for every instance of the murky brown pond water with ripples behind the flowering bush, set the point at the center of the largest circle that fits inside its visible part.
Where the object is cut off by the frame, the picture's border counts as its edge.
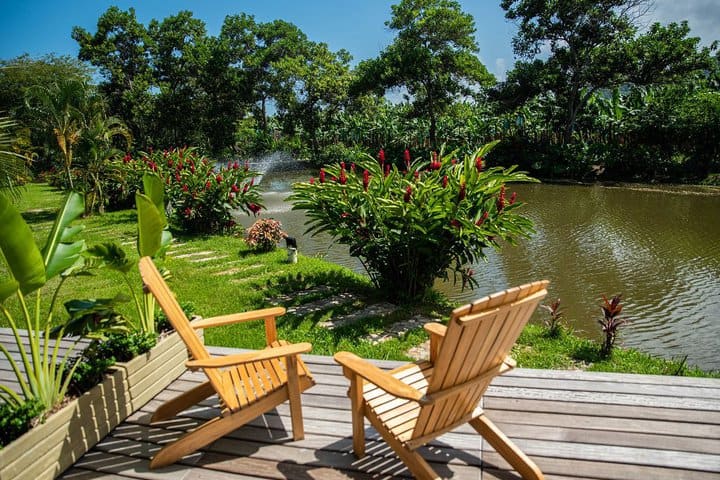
(659, 247)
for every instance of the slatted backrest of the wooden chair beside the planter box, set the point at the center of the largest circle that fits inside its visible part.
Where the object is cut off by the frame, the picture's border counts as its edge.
(224, 383)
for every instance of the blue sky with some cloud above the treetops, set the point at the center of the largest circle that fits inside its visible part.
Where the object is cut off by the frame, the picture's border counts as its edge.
(39, 27)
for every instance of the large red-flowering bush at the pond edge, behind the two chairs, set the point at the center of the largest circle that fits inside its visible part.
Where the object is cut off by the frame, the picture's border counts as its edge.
(416, 220)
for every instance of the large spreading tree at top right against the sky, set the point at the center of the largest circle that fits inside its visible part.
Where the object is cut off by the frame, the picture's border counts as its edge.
(593, 46)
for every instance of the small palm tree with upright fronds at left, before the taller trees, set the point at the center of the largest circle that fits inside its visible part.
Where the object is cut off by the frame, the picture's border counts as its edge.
(63, 107)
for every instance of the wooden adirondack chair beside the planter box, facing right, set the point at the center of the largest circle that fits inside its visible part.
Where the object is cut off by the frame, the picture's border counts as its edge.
(248, 384)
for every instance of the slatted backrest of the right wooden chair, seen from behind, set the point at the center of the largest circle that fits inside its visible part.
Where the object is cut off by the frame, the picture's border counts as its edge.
(478, 338)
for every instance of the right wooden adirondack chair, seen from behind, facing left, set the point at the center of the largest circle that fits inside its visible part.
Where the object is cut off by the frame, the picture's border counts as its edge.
(411, 405)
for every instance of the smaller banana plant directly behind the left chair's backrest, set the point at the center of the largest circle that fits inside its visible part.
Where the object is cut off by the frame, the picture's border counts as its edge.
(152, 241)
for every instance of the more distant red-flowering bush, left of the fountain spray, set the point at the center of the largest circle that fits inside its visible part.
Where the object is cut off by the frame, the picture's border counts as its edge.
(202, 194)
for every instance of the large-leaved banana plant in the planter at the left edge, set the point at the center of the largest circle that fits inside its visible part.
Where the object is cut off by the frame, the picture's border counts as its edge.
(28, 269)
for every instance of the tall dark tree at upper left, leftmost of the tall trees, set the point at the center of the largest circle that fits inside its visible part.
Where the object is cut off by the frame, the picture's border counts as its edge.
(121, 48)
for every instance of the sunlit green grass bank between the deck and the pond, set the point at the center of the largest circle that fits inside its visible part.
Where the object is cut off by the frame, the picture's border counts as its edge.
(215, 275)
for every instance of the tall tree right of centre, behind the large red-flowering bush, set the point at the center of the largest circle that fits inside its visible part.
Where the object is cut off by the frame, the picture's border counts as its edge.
(433, 57)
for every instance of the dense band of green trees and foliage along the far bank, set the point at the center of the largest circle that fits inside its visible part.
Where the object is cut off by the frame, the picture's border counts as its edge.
(606, 100)
